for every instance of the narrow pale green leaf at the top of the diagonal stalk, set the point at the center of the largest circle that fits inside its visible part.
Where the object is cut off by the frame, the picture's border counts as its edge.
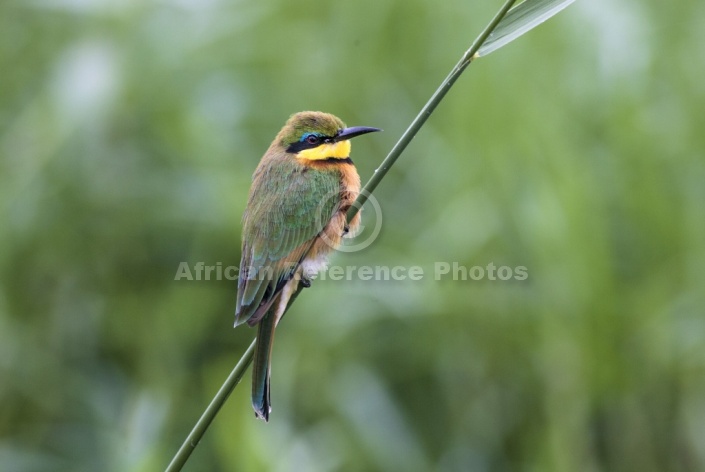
(520, 19)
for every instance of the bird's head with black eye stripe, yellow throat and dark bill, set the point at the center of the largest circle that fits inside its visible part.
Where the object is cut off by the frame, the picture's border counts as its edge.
(314, 136)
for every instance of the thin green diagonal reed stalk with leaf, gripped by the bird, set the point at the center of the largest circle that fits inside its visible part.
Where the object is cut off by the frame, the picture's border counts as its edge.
(508, 24)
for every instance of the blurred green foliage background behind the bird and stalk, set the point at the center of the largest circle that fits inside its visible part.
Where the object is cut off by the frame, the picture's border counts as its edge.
(129, 131)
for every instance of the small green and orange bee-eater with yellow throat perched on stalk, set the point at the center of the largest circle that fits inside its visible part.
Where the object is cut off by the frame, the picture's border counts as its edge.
(295, 217)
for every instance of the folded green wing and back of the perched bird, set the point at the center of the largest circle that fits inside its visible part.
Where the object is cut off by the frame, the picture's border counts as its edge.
(288, 207)
